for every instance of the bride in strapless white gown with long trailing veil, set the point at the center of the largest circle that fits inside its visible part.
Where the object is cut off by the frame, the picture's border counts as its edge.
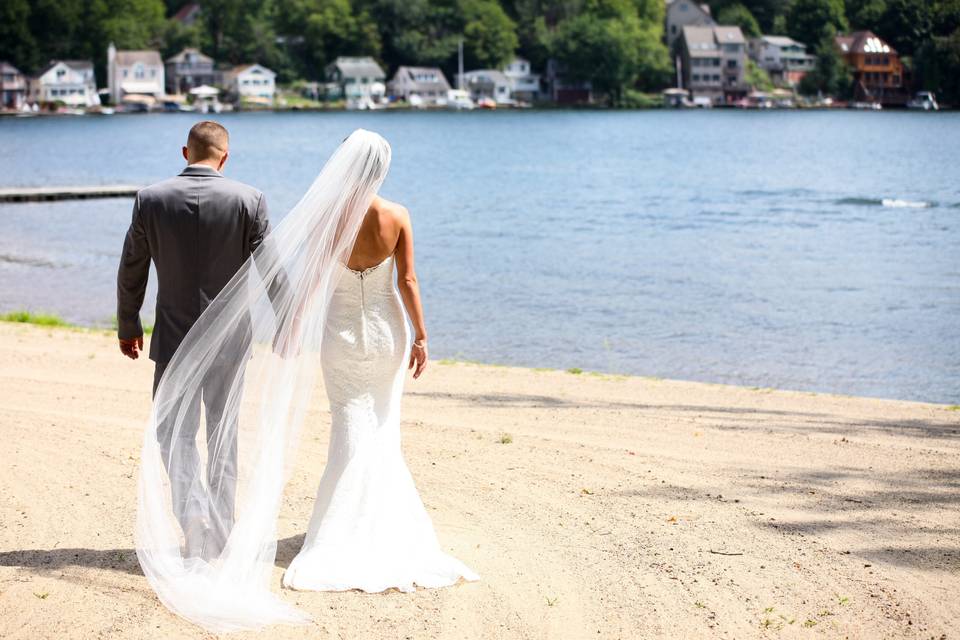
(320, 293)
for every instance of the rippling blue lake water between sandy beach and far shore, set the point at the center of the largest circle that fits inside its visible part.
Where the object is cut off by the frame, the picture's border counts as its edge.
(805, 250)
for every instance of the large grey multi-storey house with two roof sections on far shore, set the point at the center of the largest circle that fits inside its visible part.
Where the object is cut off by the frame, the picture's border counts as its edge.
(713, 63)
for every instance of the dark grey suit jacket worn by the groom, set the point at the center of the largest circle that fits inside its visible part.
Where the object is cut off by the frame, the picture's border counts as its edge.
(198, 228)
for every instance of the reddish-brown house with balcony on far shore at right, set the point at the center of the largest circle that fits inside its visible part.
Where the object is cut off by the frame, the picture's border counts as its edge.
(877, 70)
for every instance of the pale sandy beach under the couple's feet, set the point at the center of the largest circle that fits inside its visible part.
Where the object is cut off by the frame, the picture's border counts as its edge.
(592, 506)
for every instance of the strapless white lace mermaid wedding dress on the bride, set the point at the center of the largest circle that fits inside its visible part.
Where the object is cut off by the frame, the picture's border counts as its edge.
(369, 528)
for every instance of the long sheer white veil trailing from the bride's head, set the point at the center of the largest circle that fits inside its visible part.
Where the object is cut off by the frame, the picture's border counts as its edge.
(209, 497)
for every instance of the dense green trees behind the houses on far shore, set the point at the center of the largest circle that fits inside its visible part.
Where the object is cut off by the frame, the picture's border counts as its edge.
(615, 44)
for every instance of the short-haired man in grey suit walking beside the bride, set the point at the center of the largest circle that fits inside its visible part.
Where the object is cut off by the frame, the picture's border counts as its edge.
(198, 228)
